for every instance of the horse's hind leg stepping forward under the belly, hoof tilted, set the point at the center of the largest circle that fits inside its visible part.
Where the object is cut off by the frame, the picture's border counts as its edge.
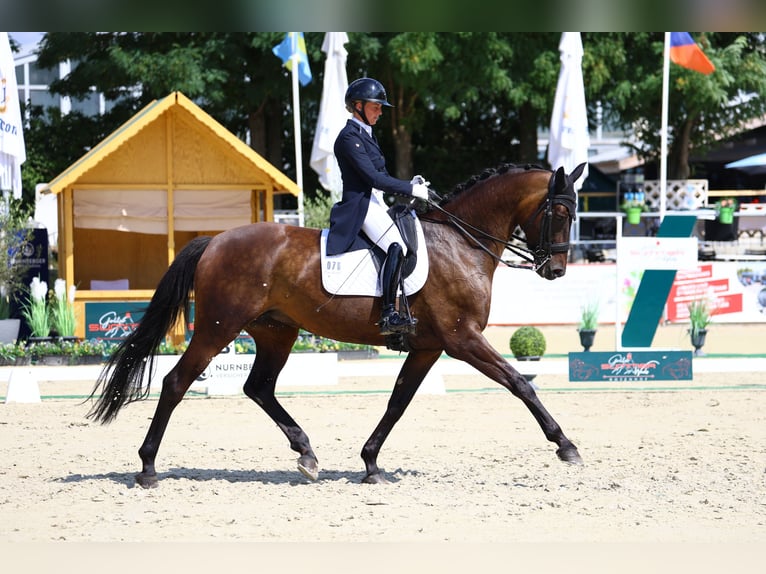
(273, 346)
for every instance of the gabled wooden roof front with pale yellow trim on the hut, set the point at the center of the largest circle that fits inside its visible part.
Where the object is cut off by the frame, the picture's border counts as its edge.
(173, 142)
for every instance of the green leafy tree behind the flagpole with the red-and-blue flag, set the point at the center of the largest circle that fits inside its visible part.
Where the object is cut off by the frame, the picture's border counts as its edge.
(702, 109)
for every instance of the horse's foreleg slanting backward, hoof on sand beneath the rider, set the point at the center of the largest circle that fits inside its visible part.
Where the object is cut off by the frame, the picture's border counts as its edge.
(412, 373)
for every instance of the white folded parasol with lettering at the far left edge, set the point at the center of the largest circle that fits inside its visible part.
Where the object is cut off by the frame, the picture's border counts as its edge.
(12, 151)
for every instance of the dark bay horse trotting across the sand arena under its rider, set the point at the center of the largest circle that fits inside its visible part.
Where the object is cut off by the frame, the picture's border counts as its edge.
(264, 278)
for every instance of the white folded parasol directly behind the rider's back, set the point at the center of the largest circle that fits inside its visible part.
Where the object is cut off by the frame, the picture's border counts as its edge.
(332, 113)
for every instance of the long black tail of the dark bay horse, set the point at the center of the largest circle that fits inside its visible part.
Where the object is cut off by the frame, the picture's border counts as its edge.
(121, 378)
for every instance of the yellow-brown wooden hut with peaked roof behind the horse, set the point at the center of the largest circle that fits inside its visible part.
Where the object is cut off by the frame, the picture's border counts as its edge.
(167, 175)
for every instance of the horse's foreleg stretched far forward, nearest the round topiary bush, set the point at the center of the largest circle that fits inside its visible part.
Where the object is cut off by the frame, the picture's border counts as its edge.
(479, 353)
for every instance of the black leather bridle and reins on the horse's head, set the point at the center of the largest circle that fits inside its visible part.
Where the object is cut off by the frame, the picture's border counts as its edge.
(545, 249)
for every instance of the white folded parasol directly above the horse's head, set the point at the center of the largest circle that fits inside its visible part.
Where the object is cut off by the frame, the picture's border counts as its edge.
(569, 139)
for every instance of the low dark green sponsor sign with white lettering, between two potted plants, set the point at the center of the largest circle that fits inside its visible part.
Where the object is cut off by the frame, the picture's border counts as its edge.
(630, 366)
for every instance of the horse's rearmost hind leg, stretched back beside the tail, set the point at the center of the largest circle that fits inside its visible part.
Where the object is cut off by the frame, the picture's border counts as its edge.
(174, 387)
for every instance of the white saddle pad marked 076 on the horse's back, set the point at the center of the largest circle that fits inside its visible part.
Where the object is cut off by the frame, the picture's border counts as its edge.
(354, 273)
